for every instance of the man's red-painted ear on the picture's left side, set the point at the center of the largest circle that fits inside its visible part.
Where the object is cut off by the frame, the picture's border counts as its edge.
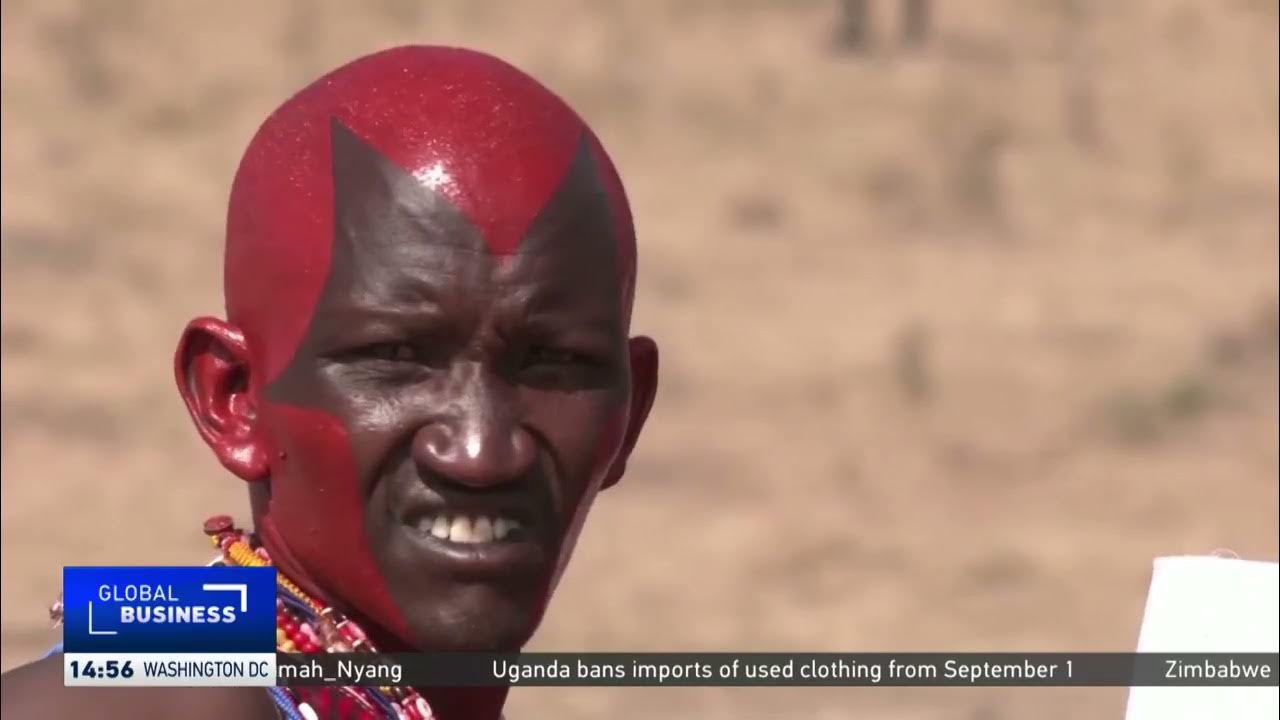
(213, 371)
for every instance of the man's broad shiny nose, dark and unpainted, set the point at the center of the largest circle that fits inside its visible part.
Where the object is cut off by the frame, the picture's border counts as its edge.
(478, 441)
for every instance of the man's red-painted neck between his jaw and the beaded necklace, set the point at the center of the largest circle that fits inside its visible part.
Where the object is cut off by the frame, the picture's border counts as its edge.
(447, 704)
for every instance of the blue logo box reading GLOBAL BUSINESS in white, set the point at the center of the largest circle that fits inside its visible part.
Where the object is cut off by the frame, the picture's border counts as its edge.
(170, 609)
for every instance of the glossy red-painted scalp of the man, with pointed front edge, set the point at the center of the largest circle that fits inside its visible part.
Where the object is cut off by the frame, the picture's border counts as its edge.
(486, 135)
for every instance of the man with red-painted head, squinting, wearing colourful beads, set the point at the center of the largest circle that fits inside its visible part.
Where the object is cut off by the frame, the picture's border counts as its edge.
(424, 377)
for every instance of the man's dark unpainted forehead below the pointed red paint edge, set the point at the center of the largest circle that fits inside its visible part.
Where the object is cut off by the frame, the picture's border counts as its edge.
(397, 236)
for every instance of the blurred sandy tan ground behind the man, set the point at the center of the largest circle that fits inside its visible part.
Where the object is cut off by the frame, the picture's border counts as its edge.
(968, 312)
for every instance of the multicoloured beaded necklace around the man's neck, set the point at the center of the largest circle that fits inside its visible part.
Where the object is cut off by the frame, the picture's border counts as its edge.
(307, 625)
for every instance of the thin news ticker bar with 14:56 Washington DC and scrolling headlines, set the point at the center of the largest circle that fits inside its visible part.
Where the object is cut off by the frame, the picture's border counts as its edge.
(719, 669)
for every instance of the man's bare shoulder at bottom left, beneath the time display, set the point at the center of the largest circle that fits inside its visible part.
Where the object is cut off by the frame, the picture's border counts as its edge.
(38, 691)
